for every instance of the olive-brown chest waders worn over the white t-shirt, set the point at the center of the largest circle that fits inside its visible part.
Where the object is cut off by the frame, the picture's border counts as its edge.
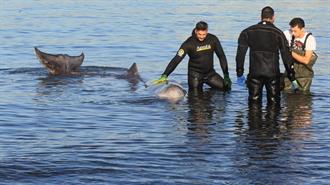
(304, 72)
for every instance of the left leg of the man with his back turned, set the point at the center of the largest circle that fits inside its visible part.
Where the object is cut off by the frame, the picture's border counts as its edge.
(255, 90)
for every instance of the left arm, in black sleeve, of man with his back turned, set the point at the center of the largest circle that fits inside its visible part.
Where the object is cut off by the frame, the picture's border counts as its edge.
(241, 52)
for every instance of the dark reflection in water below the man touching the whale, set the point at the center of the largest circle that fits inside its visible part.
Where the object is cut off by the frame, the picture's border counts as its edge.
(201, 113)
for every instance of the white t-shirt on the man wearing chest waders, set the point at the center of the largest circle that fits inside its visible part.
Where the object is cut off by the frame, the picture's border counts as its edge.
(298, 42)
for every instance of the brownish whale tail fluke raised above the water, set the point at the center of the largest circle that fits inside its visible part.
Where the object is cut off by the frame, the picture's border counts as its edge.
(58, 64)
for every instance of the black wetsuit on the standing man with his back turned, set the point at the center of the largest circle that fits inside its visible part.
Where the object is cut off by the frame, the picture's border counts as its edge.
(265, 41)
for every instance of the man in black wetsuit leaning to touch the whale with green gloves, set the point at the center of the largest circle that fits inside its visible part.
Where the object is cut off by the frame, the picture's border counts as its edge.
(200, 48)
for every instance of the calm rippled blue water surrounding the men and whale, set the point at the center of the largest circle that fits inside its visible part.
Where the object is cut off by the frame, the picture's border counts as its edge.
(100, 128)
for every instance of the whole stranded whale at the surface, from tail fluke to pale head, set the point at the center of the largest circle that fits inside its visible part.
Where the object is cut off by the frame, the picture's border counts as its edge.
(63, 64)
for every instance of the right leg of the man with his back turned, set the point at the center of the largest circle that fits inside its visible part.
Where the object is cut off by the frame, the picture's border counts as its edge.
(273, 91)
